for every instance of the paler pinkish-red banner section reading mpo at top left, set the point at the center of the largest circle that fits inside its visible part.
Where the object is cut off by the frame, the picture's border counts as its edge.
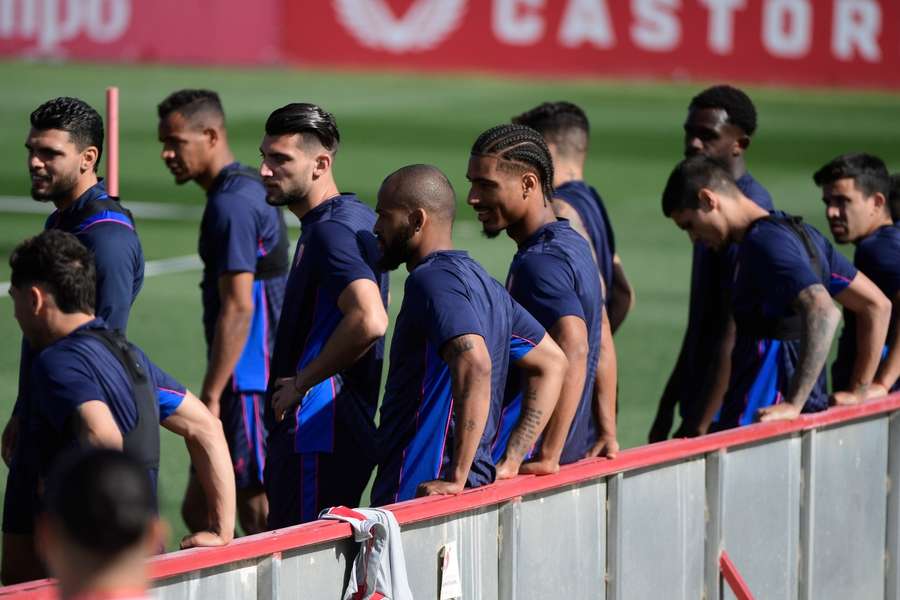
(175, 31)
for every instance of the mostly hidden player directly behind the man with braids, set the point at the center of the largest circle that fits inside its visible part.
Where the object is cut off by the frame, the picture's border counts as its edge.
(566, 130)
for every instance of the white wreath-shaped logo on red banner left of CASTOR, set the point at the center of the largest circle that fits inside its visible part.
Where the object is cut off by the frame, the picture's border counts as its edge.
(424, 25)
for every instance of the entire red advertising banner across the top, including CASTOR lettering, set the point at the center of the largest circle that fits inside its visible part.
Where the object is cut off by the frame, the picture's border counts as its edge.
(817, 42)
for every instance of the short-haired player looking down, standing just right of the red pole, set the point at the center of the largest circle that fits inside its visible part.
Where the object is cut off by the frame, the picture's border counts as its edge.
(244, 248)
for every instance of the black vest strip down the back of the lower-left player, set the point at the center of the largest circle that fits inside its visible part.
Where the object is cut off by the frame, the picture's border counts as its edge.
(142, 442)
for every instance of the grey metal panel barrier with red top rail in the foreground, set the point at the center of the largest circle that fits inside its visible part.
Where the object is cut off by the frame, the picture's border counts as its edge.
(805, 509)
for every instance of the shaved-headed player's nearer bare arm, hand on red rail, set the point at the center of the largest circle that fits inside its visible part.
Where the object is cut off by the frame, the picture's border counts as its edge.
(470, 374)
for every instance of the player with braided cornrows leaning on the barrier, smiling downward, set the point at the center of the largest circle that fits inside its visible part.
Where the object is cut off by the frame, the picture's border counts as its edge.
(554, 277)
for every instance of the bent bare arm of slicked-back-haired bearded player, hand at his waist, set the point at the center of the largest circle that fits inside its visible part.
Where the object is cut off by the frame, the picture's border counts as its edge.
(364, 321)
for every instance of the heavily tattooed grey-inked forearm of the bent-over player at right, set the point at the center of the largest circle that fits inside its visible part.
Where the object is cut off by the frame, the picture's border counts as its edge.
(819, 320)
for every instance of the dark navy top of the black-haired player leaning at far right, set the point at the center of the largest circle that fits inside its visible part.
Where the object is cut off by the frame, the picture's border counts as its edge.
(878, 256)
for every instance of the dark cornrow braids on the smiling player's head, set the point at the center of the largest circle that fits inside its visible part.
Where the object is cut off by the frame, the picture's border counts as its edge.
(520, 146)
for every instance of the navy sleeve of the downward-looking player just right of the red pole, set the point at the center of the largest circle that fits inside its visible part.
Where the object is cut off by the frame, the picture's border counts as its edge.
(233, 234)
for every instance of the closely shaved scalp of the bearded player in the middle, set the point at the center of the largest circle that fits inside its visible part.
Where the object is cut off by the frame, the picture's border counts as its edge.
(421, 186)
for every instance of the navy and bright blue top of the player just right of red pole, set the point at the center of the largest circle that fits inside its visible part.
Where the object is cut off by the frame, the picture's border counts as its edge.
(239, 230)
